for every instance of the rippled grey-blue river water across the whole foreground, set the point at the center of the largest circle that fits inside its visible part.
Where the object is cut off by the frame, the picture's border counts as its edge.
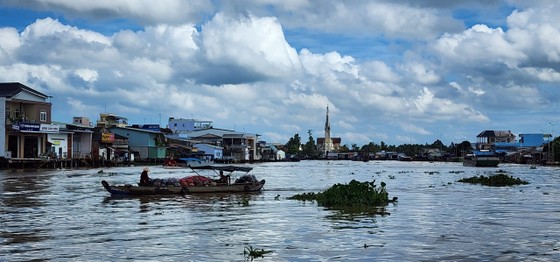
(66, 215)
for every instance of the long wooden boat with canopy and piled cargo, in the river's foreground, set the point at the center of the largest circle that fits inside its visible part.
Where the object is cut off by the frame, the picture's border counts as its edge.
(245, 183)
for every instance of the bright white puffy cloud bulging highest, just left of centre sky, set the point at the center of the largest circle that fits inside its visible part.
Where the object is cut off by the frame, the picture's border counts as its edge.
(256, 44)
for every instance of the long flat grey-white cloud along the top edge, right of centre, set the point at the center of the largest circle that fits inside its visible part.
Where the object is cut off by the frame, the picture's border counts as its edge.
(368, 18)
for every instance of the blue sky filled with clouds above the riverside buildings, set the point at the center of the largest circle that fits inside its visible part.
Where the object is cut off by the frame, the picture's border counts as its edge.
(397, 71)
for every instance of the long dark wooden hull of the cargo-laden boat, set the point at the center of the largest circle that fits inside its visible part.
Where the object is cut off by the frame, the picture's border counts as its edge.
(177, 190)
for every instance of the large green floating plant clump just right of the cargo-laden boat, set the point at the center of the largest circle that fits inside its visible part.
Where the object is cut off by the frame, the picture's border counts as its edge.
(353, 194)
